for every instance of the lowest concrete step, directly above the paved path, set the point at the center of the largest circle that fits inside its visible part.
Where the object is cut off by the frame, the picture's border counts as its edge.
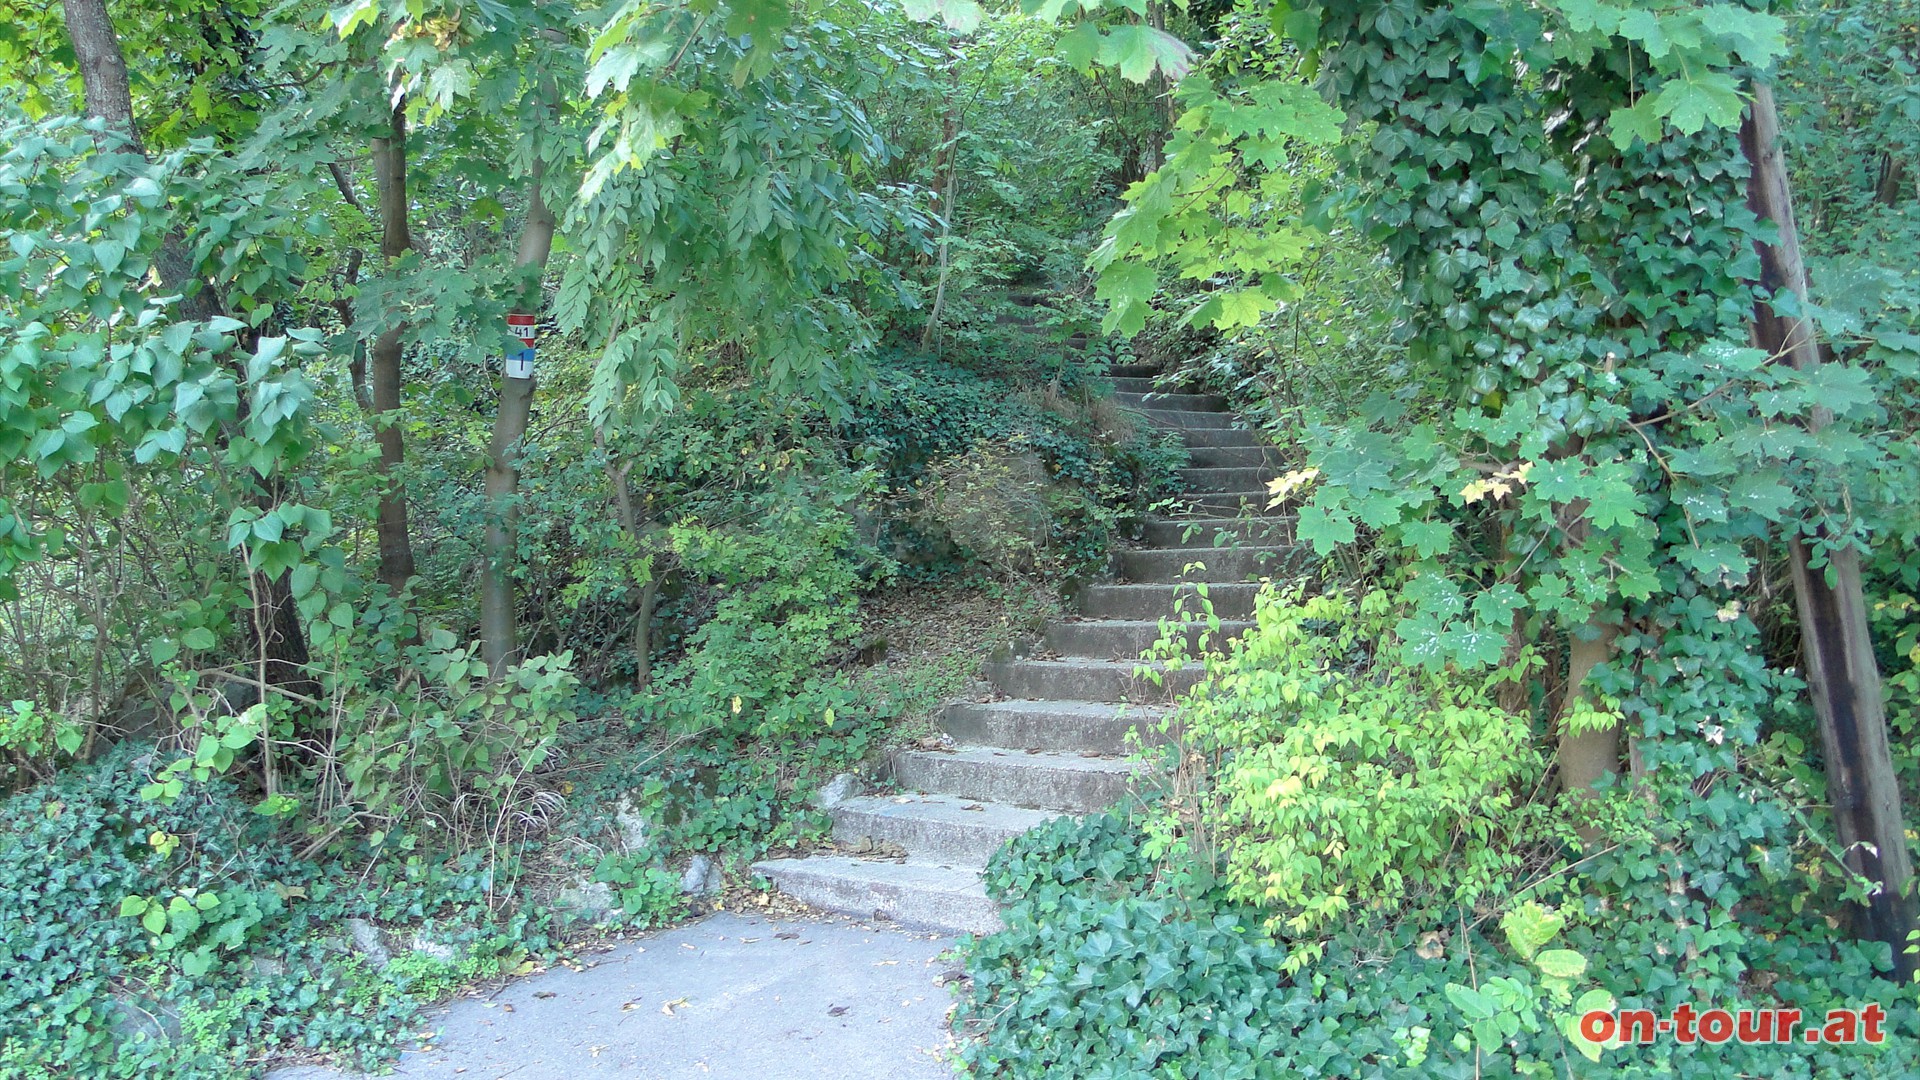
(913, 895)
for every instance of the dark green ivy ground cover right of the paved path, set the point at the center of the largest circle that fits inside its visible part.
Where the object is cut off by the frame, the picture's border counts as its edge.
(1107, 970)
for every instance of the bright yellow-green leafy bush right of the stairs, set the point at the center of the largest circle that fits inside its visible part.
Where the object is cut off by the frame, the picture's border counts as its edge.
(1349, 777)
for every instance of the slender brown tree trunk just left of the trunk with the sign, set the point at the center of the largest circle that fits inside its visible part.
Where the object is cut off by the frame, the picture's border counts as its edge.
(387, 355)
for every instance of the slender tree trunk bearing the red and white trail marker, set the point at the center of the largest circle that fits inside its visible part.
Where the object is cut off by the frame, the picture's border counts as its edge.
(498, 618)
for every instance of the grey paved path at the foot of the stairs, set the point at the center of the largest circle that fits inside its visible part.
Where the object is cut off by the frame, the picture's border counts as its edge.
(752, 998)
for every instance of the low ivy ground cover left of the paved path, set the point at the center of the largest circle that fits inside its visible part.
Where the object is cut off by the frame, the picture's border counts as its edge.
(183, 939)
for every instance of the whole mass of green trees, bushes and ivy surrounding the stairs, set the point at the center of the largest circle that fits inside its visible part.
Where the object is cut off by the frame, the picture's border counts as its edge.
(466, 472)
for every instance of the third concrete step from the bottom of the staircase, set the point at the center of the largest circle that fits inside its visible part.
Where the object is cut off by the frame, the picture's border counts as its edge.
(994, 775)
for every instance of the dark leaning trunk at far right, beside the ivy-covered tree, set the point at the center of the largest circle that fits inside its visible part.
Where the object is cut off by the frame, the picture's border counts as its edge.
(1842, 674)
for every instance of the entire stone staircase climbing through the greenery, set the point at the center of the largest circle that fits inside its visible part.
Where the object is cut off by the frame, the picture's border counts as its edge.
(1053, 741)
